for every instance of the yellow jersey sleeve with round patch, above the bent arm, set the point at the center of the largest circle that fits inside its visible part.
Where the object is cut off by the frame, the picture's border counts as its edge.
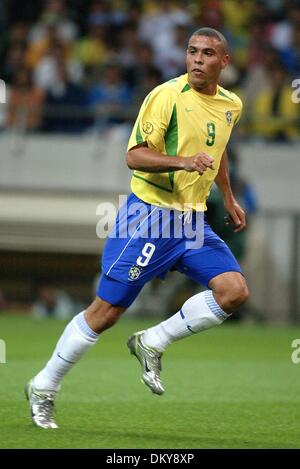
(153, 119)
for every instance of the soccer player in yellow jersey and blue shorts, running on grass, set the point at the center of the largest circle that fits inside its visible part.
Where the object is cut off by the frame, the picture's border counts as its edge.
(177, 150)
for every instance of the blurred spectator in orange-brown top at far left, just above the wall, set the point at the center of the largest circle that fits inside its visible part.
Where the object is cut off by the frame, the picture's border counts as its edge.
(24, 106)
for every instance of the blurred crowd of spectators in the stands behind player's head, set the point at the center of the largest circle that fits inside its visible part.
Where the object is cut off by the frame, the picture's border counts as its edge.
(76, 65)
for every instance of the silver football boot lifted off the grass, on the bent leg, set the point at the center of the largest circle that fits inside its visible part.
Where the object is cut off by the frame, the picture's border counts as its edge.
(150, 361)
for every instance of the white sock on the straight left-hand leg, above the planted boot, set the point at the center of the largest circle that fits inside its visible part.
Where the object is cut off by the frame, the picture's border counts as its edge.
(76, 339)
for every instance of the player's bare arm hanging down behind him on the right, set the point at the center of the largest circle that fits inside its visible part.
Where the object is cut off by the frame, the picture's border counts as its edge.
(233, 208)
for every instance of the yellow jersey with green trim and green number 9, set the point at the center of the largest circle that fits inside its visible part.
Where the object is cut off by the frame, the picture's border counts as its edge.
(174, 119)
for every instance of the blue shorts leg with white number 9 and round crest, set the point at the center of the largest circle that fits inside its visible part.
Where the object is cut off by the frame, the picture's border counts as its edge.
(138, 250)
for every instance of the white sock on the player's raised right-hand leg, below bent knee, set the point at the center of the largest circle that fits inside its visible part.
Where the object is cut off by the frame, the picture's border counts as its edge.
(198, 313)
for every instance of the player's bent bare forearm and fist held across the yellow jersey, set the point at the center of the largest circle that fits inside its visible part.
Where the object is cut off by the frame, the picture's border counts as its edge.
(144, 158)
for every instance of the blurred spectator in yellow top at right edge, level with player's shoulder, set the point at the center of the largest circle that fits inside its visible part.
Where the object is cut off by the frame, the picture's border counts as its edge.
(274, 115)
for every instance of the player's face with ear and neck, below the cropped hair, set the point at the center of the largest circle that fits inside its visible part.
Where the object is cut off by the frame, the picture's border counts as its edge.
(205, 60)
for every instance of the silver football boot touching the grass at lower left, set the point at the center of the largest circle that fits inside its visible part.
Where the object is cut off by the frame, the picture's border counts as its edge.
(41, 406)
